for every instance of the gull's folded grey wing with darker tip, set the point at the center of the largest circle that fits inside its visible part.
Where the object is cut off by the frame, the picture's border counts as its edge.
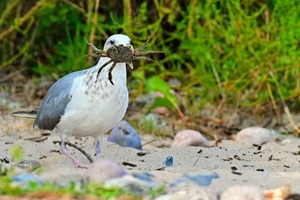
(55, 102)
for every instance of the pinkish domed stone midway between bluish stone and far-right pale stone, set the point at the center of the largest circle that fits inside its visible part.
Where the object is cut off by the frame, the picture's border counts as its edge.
(189, 138)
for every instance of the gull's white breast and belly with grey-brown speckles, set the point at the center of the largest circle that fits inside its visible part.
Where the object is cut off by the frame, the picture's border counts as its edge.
(95, 106)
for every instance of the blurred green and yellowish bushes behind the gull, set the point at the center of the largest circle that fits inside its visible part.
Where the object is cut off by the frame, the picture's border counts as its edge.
(242, 52)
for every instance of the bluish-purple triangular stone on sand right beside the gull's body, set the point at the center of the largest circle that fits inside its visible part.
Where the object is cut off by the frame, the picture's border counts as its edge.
(125, 135)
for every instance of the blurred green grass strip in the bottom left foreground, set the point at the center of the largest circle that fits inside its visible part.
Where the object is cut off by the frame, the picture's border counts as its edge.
(75, 190)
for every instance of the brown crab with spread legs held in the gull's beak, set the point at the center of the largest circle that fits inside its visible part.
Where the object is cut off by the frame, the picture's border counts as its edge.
(122, 54)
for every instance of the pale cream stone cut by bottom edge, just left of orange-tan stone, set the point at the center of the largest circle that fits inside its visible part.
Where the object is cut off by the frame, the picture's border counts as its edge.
(243, 192)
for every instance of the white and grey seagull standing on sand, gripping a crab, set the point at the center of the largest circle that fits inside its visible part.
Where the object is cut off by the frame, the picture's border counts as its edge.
(83, 104)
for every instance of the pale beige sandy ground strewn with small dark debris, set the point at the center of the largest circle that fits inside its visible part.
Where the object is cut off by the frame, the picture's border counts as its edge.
(275, 164)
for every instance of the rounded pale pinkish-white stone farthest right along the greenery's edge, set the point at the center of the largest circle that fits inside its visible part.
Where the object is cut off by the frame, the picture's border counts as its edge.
(254, 135)
